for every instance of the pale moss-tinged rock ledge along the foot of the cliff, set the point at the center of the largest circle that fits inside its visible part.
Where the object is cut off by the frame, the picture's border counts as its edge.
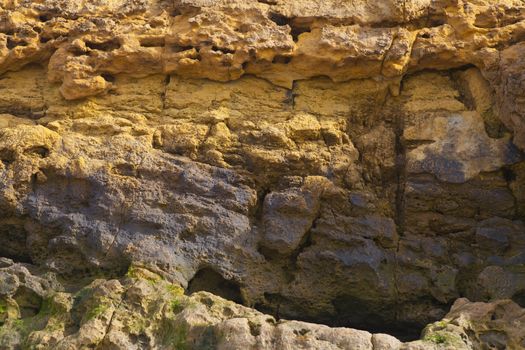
(144, 311)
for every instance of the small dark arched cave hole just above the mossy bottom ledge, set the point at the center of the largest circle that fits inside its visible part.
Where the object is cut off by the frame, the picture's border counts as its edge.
(209, 280)
